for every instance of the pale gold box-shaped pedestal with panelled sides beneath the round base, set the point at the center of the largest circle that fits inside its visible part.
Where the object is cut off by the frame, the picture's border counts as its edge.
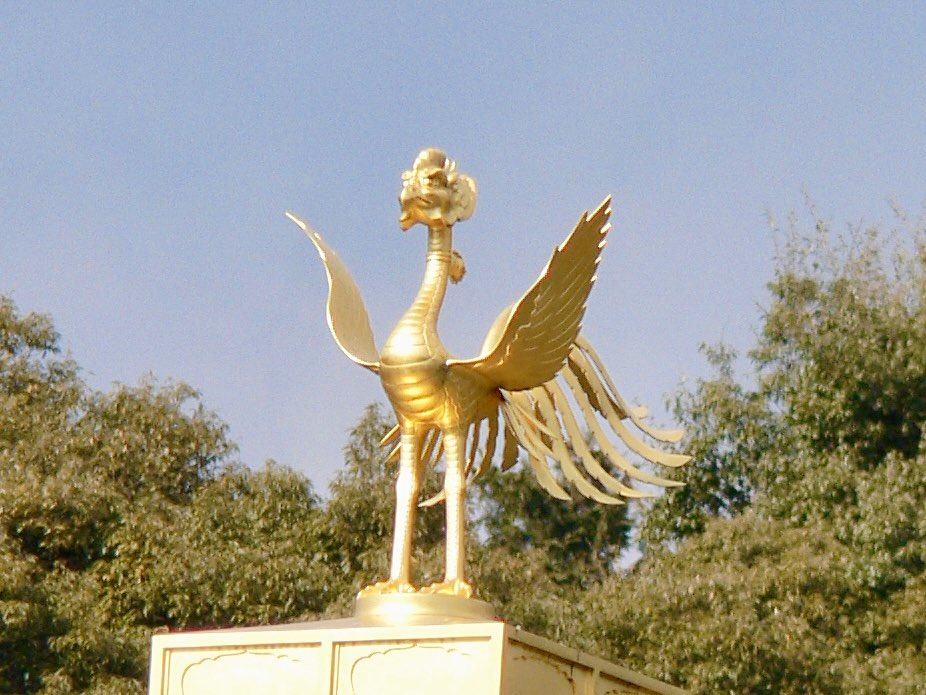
(347, 657)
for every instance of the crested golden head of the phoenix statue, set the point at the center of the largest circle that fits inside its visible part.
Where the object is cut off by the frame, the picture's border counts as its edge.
(434, 193)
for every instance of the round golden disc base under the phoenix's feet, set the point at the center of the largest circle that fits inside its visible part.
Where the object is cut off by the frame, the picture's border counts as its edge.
(416, 609)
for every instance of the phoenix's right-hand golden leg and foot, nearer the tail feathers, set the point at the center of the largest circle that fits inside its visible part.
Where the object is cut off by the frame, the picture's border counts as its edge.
(455, 489)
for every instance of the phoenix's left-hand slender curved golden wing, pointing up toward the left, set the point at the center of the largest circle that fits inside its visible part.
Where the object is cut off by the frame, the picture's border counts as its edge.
(347, 315)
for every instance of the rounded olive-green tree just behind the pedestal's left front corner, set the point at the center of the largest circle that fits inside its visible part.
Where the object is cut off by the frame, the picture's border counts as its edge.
(243, 551)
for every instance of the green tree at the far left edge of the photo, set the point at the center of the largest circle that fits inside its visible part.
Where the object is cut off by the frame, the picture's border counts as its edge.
(74, 466)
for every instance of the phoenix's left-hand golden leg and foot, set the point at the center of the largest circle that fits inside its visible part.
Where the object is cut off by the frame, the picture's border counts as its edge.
(407, 487)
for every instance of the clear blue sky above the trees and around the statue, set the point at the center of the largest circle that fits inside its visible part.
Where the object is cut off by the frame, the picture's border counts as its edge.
(149, 151)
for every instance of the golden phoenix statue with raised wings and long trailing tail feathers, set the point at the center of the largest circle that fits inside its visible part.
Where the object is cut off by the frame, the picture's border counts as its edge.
(442, 403)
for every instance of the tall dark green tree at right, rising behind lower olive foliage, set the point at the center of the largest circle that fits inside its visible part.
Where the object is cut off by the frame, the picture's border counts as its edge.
(838, 372)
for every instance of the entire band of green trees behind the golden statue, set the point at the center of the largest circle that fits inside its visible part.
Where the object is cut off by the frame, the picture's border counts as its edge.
(793, 561)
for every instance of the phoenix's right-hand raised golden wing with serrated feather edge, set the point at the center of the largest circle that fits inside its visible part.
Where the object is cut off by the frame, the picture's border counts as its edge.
(541, 327)
